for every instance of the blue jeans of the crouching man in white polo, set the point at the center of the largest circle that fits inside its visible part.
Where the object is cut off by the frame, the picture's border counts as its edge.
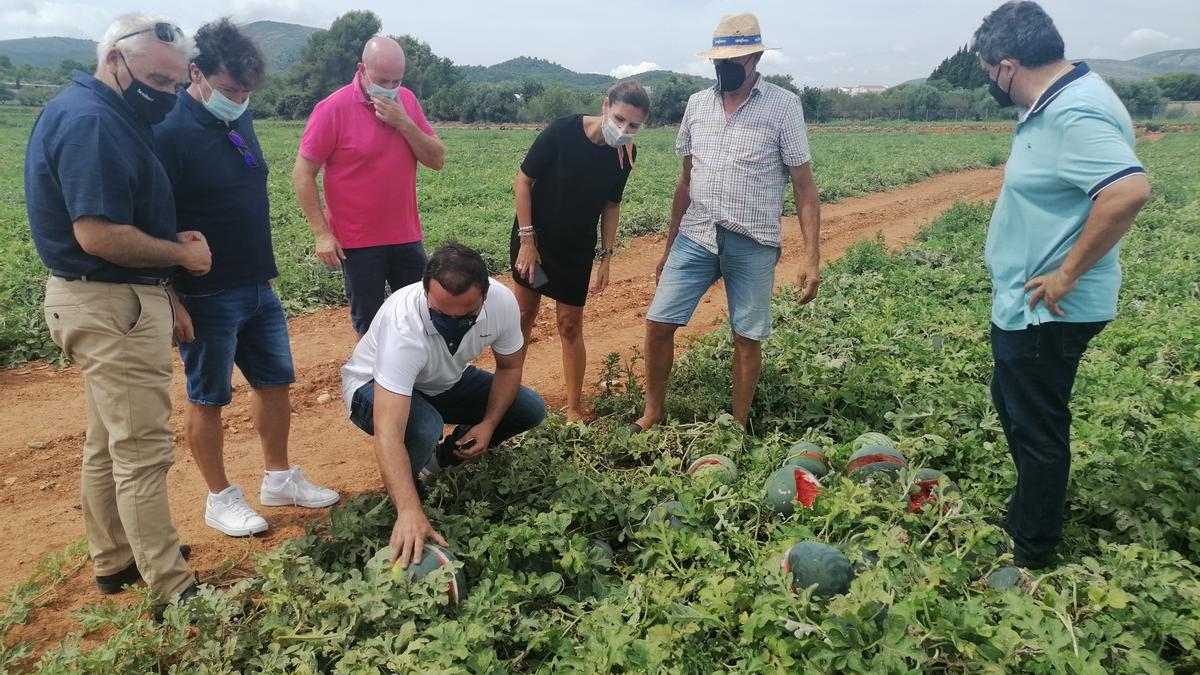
(463, 404)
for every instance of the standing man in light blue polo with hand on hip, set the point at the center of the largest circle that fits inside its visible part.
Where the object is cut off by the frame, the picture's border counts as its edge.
(1073, 187)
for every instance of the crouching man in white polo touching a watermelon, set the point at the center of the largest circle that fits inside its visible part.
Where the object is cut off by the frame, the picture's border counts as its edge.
(410, 377)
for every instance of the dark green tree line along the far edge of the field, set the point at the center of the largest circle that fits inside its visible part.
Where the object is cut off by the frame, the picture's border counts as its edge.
(956, 91)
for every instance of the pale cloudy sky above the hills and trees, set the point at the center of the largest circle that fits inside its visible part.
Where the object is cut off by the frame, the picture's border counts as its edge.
(827, 43)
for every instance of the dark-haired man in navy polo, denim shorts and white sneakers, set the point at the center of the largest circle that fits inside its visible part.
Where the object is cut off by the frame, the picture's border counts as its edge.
(232, 315)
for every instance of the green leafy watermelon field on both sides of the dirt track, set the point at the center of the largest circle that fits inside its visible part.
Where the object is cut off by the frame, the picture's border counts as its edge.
(569, 563)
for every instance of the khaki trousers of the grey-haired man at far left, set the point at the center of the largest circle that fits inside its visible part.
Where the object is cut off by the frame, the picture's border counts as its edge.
(121, 337)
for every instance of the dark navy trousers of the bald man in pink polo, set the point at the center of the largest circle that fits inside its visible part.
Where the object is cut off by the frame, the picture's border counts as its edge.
(367, 271)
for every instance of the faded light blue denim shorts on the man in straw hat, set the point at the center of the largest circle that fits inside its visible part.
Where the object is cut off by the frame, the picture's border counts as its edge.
(748, 268)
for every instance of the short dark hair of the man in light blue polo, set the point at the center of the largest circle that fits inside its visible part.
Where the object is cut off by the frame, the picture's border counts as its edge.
(1022, 31)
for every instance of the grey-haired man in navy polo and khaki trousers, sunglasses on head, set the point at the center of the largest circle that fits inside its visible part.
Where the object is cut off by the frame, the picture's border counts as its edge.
(104, 222)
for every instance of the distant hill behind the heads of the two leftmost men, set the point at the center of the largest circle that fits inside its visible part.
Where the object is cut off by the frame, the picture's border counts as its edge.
(280, 43)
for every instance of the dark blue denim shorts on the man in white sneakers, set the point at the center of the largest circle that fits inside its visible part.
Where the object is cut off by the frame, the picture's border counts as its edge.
(243, 326)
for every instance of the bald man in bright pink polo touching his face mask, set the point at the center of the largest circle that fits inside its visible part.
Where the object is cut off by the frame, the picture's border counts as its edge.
(369, 138)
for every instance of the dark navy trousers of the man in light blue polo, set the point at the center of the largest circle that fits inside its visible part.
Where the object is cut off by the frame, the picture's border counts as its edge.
(1031, 385)
